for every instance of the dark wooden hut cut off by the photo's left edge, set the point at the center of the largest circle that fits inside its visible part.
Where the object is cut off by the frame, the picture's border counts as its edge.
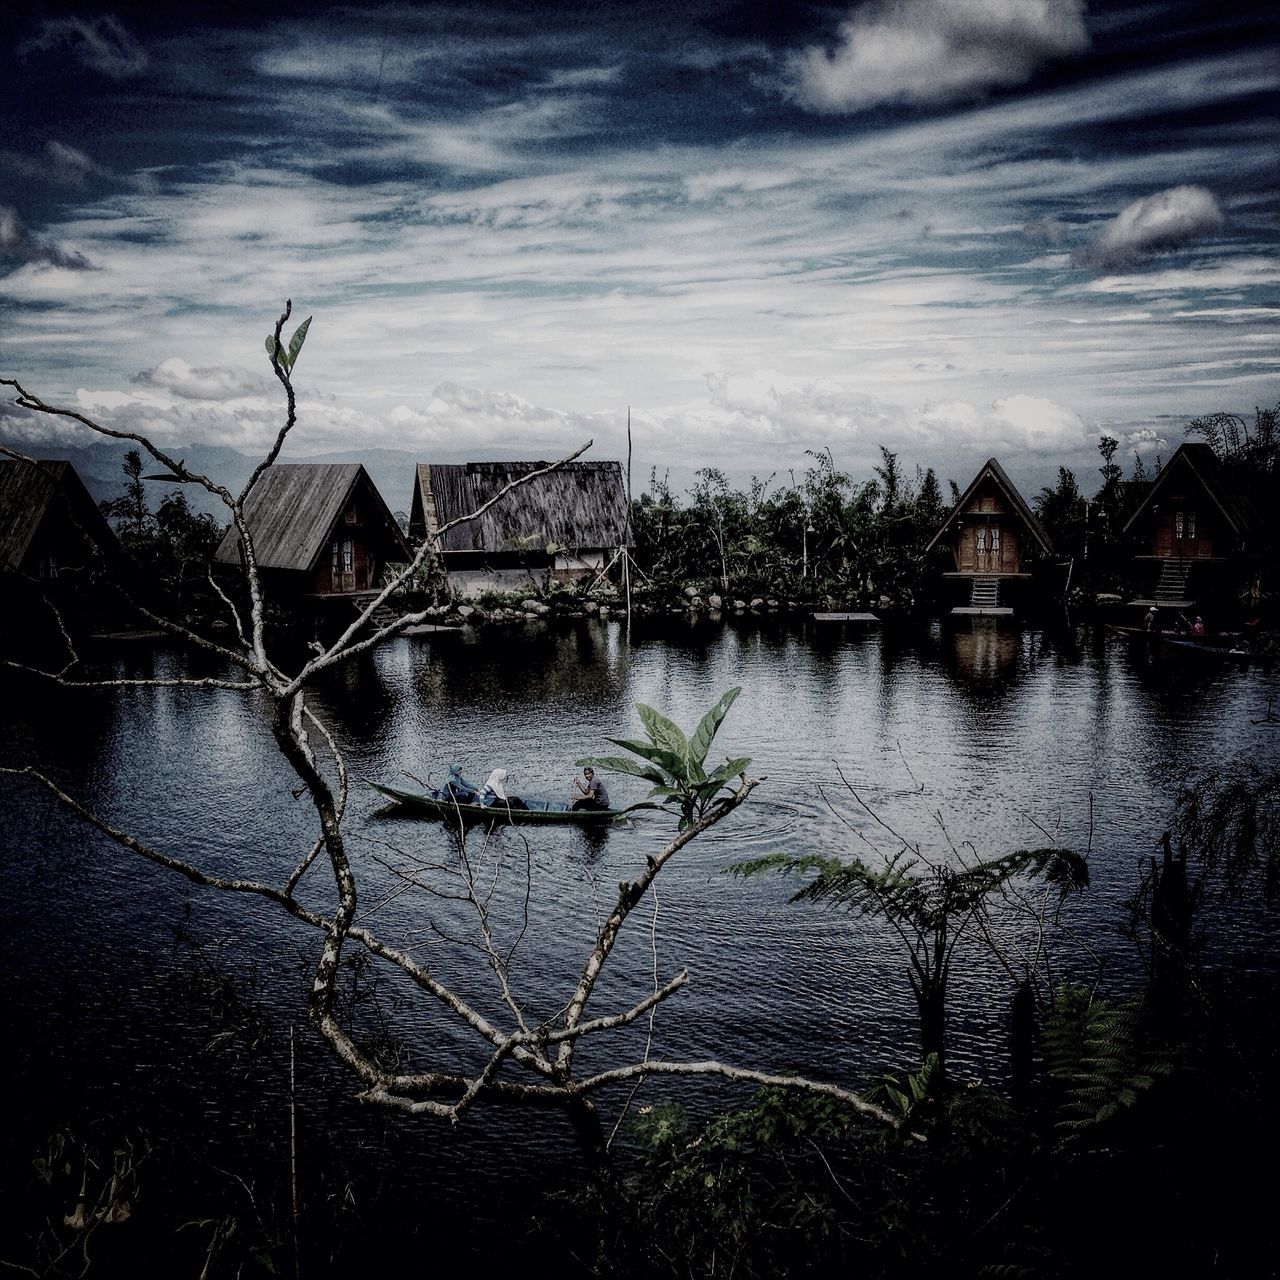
(49, 524)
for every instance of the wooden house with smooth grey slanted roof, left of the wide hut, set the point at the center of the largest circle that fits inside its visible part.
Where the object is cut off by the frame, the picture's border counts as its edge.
(321, 531)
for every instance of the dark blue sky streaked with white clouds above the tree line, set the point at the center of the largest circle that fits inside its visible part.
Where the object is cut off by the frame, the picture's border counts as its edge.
(952, 227)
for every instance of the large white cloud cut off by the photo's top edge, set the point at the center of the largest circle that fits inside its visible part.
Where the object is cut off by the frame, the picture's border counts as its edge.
(935, 52)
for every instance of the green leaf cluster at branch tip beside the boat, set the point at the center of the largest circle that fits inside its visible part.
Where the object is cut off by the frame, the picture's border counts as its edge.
(676, 765)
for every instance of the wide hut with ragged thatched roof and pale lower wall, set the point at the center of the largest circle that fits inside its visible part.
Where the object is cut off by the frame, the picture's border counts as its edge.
(564, 527)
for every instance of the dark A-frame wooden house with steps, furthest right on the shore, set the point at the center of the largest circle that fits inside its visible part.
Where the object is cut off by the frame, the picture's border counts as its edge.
(1192, 523)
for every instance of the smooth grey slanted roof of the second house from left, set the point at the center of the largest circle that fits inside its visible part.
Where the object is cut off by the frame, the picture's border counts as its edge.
(294, 510)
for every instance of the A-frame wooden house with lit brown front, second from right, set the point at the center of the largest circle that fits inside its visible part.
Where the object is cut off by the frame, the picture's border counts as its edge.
(994, 538)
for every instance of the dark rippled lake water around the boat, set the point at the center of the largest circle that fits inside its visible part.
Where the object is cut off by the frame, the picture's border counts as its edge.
(984, 739)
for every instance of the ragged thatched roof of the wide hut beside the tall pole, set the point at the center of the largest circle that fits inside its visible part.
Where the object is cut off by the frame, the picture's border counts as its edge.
(579, 506)
